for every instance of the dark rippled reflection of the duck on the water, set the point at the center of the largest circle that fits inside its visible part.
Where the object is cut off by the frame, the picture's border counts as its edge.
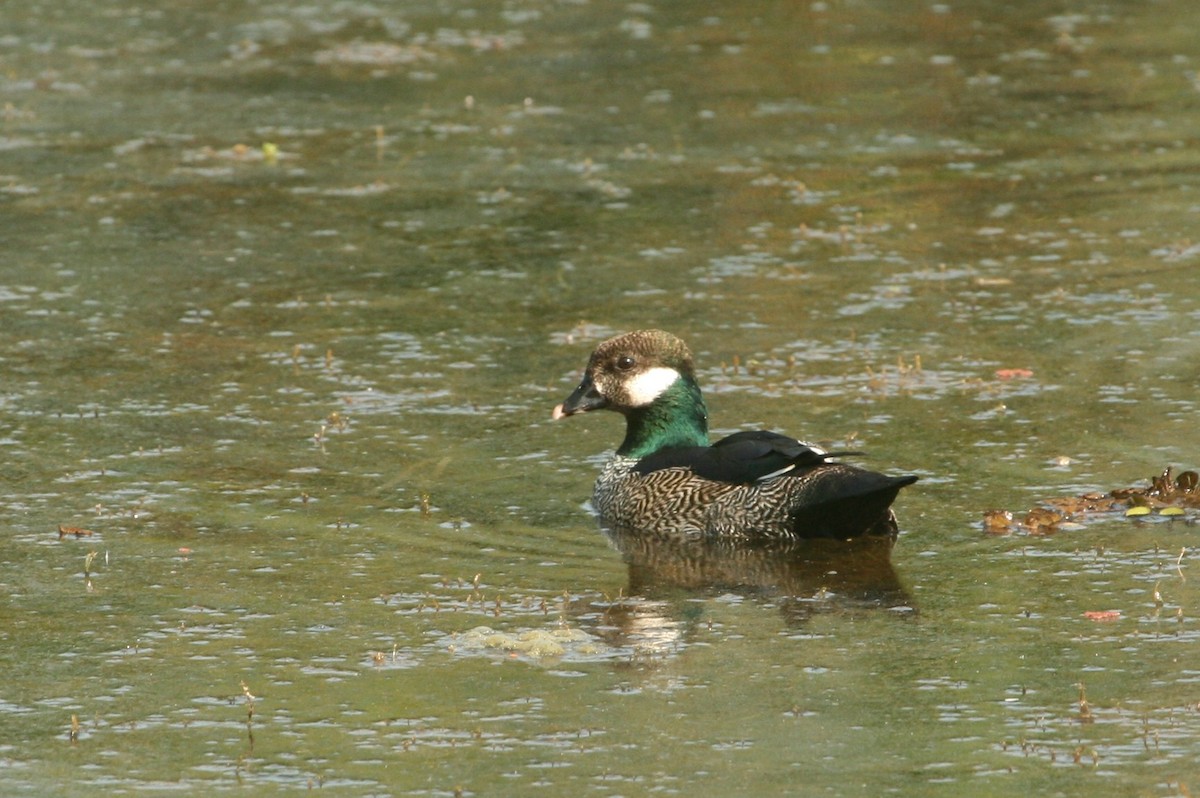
(802, 578)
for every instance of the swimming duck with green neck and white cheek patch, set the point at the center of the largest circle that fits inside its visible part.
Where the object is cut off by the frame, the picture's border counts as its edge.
(668, 481)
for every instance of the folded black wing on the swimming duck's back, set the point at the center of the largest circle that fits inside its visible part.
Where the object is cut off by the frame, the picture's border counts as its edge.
(741, 458)
